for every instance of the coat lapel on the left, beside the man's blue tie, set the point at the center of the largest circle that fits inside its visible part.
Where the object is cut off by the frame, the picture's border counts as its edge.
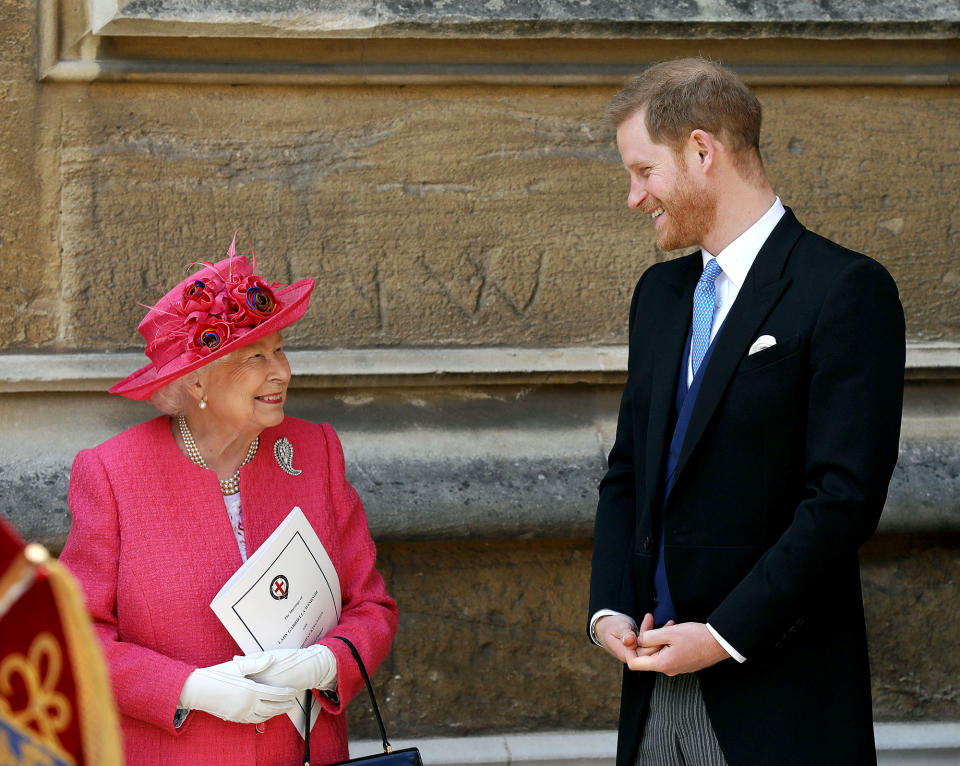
(667, 346)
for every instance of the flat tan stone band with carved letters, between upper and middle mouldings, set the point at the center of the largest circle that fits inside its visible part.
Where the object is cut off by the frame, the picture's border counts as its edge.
(445, 216)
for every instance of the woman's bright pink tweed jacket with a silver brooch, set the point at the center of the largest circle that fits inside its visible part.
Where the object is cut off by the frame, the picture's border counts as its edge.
(151, 544)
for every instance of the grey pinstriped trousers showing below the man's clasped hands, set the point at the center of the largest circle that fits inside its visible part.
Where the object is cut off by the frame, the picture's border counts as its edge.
(678, 731)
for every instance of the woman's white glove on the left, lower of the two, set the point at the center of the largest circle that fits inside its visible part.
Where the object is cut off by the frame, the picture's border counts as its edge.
(223, 691)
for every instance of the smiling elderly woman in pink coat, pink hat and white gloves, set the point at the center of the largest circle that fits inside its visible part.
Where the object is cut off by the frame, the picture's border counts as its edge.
(165, 512)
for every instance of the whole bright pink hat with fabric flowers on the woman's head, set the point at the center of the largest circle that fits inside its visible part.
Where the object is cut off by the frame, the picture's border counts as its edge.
(221, 308)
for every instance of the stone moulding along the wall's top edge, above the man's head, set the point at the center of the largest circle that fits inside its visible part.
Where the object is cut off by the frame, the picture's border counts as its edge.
(546, 42)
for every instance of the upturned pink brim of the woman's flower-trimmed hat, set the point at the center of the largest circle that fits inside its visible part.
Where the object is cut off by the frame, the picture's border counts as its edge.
(143, 383)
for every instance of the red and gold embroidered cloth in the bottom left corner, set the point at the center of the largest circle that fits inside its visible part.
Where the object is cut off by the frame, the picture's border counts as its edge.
(56, 707)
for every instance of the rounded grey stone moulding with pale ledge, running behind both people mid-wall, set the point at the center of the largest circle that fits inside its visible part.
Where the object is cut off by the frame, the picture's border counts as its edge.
(481, 443)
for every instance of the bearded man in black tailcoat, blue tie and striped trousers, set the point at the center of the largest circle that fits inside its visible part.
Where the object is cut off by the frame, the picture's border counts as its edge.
(757, 434)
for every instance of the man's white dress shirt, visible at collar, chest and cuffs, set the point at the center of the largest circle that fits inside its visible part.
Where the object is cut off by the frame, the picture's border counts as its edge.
(735, 260)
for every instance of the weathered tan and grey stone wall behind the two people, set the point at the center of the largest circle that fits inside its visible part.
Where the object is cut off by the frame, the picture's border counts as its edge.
(454, 190)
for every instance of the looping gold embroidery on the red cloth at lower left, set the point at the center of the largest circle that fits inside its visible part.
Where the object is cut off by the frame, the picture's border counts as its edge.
(47, 711)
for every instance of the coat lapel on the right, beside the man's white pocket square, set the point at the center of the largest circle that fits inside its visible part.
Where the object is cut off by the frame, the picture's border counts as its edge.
(762, 288)
